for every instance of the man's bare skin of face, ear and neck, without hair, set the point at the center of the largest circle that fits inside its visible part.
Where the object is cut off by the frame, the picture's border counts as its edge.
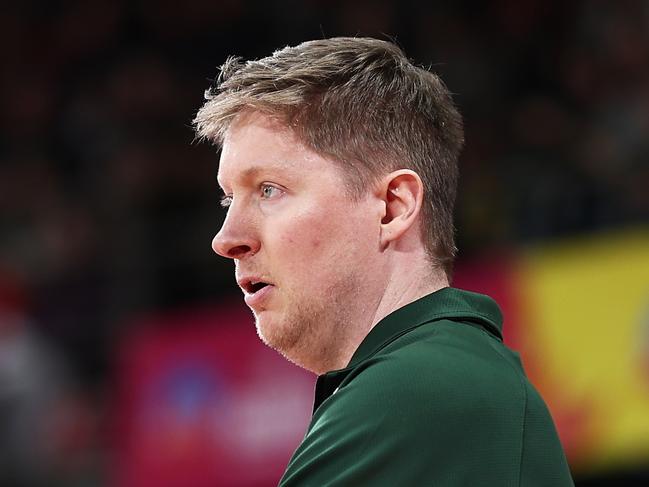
(335, 264)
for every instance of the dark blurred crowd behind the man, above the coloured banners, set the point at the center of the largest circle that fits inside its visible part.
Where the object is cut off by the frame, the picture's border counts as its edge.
(108, 206)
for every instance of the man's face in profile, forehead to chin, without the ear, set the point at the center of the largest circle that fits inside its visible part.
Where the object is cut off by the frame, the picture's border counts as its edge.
(305, 251)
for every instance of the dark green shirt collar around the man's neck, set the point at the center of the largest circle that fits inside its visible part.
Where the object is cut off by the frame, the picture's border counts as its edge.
(446, 303)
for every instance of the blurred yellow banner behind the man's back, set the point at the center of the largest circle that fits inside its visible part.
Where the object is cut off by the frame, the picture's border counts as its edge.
(586, 303)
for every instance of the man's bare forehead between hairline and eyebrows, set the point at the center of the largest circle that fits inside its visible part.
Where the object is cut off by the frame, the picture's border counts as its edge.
(256, 144)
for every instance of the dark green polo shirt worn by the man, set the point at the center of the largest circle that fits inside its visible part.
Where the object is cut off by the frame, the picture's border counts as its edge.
(431, 397)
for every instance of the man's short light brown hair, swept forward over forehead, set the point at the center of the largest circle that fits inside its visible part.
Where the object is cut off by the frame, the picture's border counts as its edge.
(362, 103)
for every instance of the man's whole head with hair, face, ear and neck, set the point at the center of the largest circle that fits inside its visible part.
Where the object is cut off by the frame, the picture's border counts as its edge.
(339, 166)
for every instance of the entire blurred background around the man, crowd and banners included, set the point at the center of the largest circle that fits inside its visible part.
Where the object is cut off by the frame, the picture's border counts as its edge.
(126, 356)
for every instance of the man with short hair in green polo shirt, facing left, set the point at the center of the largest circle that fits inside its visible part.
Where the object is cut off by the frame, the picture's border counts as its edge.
(339, 169)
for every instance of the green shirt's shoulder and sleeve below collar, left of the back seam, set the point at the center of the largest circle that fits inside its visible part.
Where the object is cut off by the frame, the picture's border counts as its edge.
(445, 404)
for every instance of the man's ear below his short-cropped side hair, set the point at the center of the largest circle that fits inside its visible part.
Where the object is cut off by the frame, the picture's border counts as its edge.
(403, 193)
